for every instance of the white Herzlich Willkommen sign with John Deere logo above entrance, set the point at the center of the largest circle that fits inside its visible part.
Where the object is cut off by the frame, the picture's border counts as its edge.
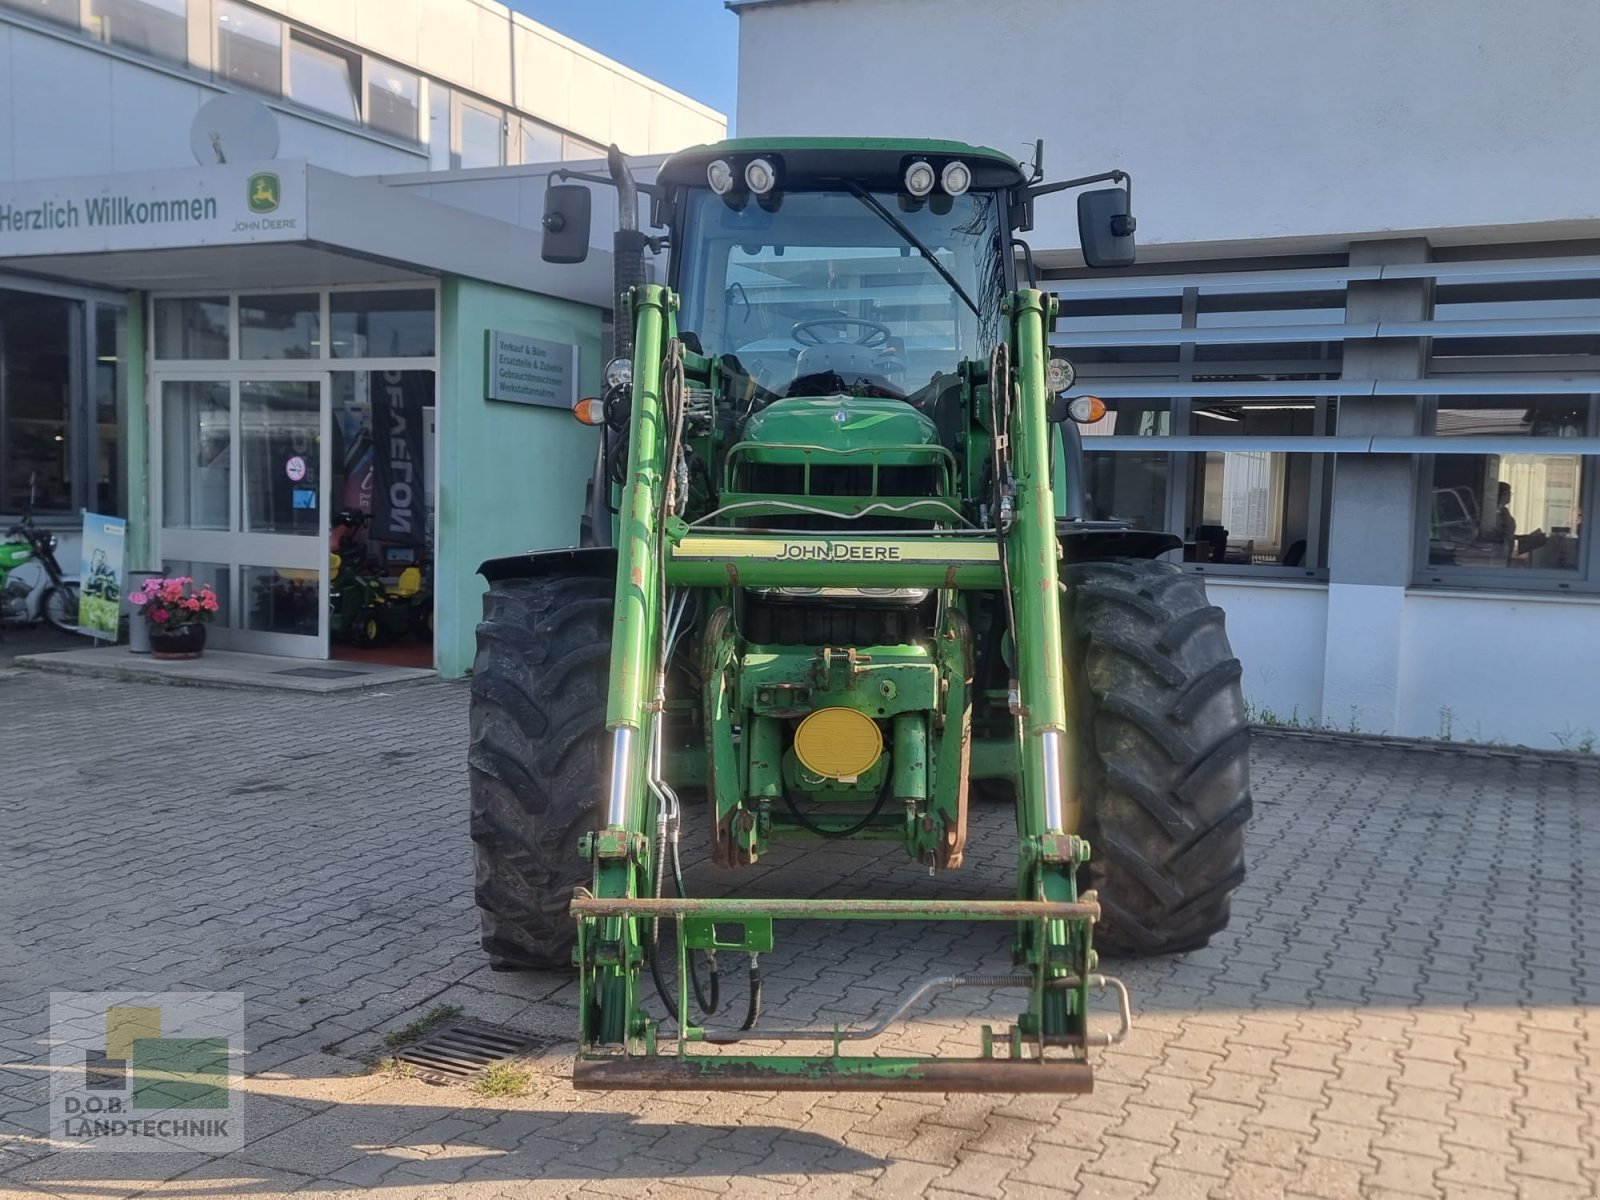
(154, 210)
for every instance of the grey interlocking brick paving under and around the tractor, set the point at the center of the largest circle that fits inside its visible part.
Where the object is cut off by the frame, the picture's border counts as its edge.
(1404, 1006)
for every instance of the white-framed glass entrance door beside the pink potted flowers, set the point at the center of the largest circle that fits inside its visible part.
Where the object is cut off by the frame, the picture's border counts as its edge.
(242, 503)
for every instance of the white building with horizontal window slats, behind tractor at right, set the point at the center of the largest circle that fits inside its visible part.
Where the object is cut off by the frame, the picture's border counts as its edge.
(1359, 362)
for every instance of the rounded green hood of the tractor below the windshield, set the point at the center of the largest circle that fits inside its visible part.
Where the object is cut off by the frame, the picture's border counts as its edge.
(794, 430)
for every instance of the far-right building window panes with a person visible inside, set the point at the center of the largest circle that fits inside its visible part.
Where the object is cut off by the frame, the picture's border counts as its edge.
(1506, 513)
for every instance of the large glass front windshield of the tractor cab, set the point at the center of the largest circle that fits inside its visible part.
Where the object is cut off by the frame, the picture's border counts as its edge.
(822, 294)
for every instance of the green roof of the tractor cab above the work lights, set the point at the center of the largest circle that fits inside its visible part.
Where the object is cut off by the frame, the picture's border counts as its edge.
(871, 162)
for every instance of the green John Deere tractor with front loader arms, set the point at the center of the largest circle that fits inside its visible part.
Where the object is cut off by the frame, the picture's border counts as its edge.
(836, 569)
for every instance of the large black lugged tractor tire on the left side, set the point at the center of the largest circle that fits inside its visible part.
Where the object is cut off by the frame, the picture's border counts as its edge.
(537, 761)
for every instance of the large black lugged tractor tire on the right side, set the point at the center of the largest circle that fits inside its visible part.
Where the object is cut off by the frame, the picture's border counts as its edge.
(1166, 753)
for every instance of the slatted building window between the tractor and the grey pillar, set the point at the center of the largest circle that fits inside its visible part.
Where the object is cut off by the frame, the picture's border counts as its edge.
(1230, 362)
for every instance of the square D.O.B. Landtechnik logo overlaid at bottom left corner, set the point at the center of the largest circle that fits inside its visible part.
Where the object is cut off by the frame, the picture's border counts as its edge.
(146, 1071)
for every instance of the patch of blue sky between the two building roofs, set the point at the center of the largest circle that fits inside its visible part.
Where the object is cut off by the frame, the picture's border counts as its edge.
(690, 46)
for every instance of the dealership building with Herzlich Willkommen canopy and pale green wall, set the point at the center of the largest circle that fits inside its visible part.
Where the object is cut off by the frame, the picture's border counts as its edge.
(268, 265)
